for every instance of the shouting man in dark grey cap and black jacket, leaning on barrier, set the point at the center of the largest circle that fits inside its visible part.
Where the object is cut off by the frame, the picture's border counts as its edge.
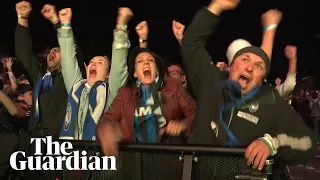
(238, 110)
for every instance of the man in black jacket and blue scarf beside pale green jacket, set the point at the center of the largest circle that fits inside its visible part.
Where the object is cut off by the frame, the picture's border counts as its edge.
(47, 112)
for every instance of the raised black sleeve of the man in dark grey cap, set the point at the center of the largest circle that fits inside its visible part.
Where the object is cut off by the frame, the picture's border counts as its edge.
(196, 59)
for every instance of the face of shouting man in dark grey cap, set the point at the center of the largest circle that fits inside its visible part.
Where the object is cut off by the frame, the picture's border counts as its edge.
(249, 70)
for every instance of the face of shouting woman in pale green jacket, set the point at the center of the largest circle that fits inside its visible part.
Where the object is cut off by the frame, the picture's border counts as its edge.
(98, 69)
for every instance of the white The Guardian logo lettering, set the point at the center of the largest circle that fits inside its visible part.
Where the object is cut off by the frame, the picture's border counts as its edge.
(60, 158)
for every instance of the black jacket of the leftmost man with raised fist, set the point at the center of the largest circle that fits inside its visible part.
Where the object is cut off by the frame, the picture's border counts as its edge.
(52, 105)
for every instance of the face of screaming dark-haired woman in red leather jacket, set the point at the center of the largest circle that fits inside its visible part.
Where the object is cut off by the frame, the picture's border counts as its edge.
(145, 68)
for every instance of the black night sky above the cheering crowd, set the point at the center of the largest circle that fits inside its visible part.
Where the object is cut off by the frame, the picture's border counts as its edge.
(93, 22)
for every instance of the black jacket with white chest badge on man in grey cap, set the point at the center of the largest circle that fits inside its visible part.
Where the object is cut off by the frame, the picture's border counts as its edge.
(274, 116)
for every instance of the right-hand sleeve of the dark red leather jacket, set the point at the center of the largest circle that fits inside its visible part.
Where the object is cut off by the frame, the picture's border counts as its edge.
(188, 106)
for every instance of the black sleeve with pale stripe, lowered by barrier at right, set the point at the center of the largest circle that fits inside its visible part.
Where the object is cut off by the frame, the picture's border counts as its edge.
(294, 141)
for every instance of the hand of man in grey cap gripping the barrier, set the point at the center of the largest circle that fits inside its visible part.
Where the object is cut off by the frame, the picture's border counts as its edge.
(257, 153)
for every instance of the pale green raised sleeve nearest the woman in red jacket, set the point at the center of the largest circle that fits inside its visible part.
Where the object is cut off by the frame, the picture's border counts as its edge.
(119, 68)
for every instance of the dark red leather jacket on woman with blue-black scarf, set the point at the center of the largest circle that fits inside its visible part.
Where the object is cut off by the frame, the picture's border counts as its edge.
(177, 105)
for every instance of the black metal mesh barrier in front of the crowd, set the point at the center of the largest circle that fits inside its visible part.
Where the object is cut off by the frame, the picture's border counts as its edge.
(170, 162)
